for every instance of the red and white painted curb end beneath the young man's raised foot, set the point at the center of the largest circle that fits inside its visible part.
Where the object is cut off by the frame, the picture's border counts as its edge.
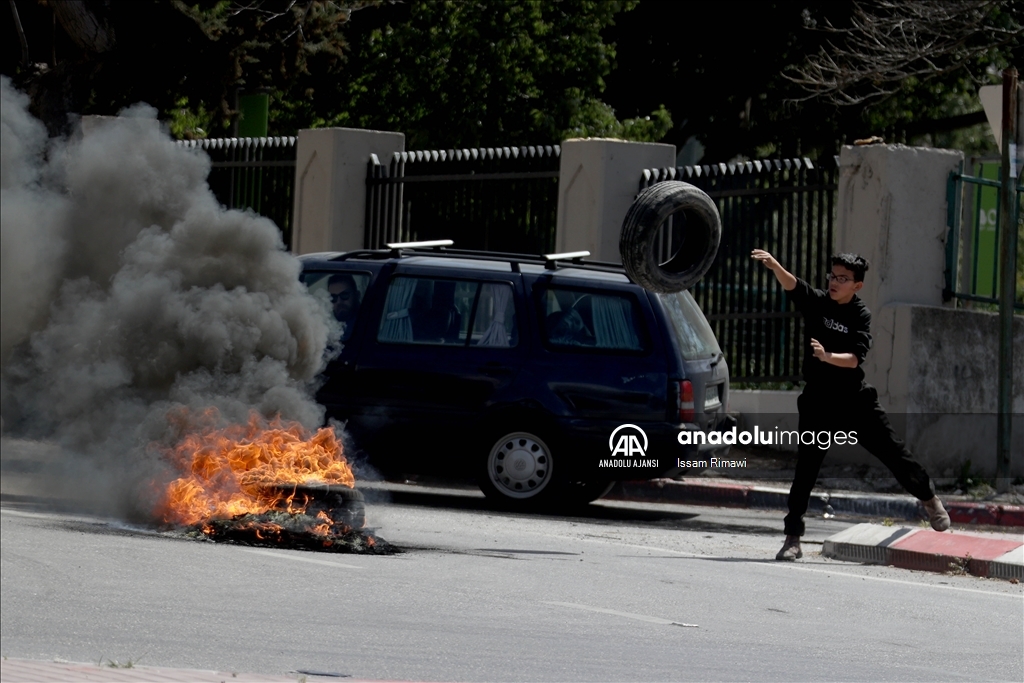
(999, 557)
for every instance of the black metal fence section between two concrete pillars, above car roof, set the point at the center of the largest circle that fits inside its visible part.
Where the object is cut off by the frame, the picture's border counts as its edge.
(494, 199)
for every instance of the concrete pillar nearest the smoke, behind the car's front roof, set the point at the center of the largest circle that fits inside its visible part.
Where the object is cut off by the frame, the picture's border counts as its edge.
(331, 189)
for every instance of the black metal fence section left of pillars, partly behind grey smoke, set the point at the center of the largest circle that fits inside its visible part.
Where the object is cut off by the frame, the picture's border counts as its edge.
(255, 174)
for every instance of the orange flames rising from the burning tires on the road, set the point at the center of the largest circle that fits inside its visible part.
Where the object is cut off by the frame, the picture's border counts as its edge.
(241, 469)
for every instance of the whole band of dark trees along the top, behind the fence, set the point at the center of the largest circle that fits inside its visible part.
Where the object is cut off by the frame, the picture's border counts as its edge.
(748, 79)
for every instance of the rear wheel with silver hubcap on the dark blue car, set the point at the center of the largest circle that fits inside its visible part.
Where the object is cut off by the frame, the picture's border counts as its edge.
(520, 468)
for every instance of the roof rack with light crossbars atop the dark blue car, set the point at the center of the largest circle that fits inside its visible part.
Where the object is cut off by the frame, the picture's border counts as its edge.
(442, 248)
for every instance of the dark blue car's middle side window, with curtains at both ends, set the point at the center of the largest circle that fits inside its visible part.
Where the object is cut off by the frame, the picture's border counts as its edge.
(448, 313)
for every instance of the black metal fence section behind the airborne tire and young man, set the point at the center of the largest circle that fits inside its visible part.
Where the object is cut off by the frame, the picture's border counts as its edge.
(787, 207)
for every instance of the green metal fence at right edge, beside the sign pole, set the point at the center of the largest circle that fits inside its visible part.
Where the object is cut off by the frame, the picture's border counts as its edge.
(973, 241)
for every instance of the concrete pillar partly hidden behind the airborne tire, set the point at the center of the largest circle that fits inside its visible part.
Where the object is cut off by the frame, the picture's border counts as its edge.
(599, 180)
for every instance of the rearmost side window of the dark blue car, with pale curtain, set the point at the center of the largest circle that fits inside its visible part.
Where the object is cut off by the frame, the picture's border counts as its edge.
(580, 320)
